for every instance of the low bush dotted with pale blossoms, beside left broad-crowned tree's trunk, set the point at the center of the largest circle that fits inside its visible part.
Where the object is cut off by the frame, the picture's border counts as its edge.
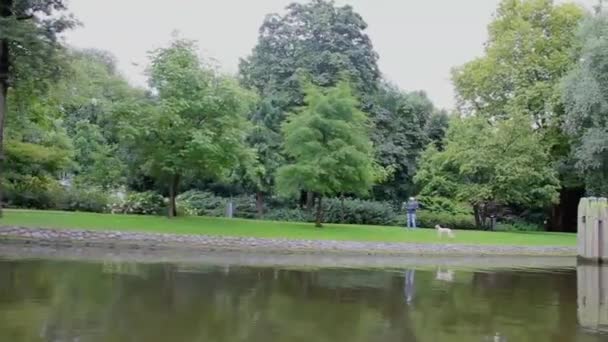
(142, 203)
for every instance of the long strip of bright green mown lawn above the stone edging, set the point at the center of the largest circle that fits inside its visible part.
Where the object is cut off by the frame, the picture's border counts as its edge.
(266, 229)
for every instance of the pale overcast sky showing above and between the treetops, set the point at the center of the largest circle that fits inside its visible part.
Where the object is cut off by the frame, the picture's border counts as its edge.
(418, 41)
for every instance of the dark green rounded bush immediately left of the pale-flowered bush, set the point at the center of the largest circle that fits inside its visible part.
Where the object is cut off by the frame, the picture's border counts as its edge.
(89, 199)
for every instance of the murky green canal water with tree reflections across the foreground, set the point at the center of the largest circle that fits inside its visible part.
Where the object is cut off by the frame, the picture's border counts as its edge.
(50, 300)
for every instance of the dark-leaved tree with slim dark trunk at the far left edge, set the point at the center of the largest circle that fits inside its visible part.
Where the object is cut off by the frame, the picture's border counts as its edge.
(28, 39)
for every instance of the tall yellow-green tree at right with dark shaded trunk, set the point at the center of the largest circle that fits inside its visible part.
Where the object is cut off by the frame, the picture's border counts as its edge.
(530, 48)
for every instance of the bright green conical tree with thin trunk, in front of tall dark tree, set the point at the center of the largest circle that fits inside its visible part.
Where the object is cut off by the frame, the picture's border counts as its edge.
(329, 146)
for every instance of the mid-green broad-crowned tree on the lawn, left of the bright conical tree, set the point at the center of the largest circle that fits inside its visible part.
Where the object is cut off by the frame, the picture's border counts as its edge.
(199, 126)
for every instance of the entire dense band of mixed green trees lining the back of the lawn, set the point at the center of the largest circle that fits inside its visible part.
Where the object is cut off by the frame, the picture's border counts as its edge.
(308, 114)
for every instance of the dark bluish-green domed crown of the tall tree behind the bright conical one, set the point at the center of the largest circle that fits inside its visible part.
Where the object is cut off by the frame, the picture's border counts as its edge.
(316, 38)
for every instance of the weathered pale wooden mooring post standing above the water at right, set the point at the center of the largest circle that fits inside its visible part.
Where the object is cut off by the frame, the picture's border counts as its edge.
(592, 229)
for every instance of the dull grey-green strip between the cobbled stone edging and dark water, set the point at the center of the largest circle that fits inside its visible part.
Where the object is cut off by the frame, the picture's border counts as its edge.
(195, 259)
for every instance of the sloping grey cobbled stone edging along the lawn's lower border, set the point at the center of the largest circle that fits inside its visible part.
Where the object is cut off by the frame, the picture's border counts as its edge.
(137, 240)
